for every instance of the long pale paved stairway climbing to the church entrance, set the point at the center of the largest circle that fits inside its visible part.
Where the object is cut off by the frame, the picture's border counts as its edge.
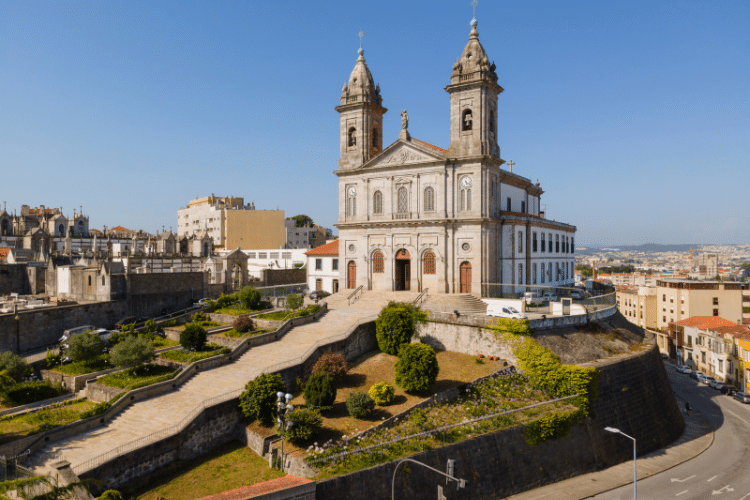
(151, 415)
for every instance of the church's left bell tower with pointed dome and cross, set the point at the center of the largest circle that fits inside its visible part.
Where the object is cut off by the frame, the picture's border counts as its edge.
(361, 114)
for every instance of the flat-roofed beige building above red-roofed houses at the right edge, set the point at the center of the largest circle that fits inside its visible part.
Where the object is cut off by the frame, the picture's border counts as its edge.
(680, 299)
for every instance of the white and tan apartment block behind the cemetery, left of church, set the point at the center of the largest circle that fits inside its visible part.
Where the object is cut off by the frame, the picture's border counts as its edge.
(230, 223)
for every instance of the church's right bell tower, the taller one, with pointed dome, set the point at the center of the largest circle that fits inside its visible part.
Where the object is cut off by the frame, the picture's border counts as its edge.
(474, 90)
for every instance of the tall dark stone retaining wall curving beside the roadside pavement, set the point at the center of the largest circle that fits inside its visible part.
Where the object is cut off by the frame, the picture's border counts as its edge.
(634, 396)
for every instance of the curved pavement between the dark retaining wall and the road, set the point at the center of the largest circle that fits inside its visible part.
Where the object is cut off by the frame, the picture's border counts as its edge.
(698, 436)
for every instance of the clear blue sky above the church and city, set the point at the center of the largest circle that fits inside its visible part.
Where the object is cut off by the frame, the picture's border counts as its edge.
(633, 115)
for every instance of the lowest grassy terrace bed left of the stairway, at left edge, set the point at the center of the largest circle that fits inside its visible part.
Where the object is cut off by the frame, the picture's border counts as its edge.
(15, 427)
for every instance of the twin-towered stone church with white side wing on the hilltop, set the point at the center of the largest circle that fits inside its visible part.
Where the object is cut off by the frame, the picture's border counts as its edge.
(414, 216)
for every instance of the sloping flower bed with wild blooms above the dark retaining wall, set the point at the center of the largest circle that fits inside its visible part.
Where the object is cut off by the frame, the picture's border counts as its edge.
(504, 391)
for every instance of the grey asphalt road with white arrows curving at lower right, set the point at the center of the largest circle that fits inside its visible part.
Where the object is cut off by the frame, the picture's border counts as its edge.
(722, 472)
